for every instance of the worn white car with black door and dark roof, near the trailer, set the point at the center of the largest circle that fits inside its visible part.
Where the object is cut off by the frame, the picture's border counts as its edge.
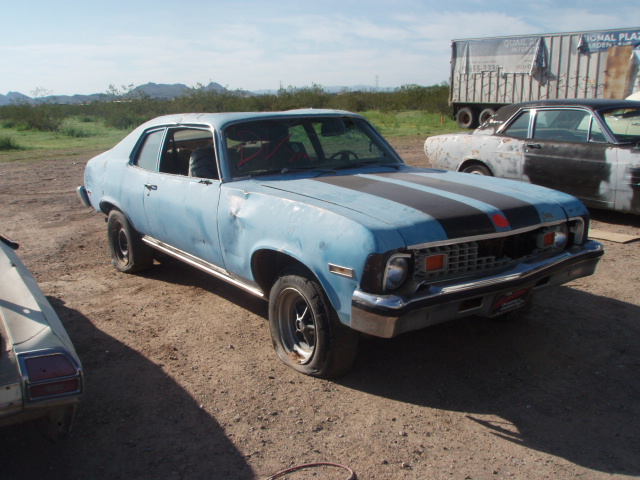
(587, 148)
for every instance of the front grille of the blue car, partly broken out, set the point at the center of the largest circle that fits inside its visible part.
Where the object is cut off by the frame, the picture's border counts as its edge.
(475, 256)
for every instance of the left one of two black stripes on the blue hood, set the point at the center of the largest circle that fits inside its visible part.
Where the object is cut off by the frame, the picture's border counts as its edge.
(456, 218)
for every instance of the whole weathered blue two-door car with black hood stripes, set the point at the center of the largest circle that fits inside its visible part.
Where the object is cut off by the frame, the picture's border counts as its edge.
(315, 212)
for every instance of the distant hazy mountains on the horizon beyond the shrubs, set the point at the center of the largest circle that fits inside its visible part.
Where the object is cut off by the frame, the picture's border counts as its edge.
(152, 90)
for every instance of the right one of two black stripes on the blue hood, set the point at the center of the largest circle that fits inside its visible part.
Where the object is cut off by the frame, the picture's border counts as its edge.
(520, 214)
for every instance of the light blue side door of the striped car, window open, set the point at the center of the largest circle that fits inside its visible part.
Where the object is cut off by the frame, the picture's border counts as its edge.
(181, 207)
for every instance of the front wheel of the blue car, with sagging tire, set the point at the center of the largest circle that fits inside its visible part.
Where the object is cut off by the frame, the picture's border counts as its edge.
(306, 332)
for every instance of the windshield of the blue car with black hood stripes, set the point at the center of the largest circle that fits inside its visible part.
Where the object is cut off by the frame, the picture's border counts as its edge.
(285, 145)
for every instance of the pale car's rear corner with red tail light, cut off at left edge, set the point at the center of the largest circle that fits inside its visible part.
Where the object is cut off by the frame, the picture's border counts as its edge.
(40, 373)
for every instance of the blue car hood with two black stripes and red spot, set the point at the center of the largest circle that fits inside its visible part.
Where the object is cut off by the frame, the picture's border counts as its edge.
(434, 205)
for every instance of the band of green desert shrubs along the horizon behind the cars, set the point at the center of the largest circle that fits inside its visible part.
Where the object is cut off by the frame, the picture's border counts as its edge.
(122, 110)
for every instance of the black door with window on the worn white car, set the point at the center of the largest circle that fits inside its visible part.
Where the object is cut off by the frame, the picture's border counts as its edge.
(567, 151)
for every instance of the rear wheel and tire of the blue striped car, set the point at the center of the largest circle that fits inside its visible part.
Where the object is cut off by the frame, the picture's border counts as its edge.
(129, 253)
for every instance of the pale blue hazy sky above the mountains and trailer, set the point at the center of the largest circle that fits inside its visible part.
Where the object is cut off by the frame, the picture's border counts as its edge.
(67, 46)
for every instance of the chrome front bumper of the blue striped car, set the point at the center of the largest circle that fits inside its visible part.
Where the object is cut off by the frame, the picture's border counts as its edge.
(390, 315)
